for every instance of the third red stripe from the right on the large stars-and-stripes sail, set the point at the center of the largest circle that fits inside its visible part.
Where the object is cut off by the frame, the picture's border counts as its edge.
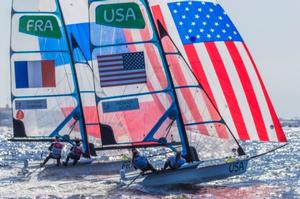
(227, 90)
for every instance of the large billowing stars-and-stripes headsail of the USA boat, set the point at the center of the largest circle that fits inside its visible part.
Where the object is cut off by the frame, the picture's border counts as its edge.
(222, 63)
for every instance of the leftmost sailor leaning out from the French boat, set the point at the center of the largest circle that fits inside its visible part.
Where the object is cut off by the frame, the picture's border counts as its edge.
(55, 151)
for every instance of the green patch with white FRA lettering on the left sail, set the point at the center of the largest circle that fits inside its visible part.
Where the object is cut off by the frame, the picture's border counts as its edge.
(42, 26)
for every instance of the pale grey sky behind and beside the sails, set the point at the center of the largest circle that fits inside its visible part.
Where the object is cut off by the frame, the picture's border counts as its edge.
(270, 28)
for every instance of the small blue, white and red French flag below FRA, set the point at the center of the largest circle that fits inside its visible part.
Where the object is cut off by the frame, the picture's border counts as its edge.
(35, 74)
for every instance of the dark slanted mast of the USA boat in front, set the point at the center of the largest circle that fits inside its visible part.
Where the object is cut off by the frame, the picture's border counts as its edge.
(168, 71)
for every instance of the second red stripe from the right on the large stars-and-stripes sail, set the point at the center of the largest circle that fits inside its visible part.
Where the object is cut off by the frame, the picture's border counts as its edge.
(249, 91)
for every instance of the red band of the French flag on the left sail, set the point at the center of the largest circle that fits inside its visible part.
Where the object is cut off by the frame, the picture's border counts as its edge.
(48, 73)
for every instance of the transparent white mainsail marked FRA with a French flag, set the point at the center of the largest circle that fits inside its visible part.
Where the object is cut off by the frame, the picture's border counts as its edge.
(42, 73)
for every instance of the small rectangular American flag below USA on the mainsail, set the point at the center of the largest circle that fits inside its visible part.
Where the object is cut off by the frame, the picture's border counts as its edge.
(122, 69)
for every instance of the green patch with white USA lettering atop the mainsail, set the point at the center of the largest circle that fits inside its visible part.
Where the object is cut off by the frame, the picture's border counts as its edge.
(122, 15)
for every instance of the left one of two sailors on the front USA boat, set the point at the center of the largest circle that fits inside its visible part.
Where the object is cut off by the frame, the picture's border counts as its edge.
(141, 162)
